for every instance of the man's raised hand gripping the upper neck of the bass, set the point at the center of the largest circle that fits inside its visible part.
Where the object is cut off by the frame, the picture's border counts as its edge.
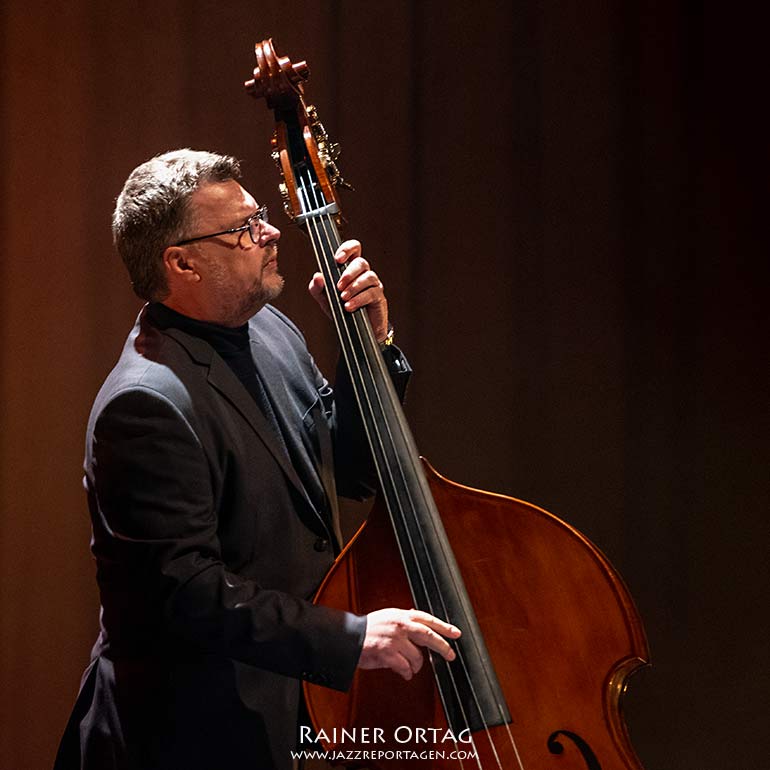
(358, 286)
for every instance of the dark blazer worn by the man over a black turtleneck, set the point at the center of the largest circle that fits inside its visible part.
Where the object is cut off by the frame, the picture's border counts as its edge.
(208, 548)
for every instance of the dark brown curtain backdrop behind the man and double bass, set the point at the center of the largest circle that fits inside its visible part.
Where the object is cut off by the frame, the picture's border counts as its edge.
(563, 200)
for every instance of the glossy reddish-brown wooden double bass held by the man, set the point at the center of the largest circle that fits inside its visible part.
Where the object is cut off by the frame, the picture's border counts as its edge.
(550, 631)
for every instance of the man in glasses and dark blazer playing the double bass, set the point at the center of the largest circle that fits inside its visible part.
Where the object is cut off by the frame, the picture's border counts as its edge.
(214, 456)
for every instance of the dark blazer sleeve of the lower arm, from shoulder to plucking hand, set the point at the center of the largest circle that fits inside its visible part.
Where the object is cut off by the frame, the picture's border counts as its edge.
(155, 538)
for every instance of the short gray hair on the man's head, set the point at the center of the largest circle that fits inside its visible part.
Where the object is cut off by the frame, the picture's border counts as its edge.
(152, 211)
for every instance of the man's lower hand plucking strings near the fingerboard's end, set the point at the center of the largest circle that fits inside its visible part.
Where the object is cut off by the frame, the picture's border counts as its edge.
(394, 638)
